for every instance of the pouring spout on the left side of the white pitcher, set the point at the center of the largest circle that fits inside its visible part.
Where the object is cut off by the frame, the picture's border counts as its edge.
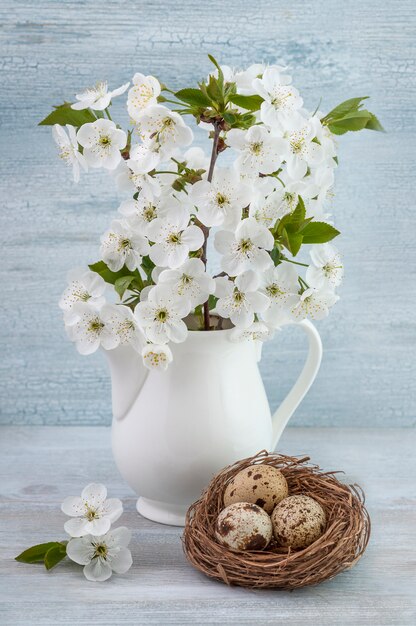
(128, 376)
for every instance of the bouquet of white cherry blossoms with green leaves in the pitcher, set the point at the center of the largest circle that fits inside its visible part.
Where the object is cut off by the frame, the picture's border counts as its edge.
(265, 202)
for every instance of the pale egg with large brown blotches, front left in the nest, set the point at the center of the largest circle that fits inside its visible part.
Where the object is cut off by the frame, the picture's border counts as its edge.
(244, 526)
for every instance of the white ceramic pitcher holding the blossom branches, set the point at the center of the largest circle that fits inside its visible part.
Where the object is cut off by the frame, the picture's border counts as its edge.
(173, 430)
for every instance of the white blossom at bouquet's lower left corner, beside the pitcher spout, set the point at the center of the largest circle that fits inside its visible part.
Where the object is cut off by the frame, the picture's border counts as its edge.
(90, 328)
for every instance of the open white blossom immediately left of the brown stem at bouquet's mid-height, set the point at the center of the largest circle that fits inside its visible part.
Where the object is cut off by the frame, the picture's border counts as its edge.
(173, 239)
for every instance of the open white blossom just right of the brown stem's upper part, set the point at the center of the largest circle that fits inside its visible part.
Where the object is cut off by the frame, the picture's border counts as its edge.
(259, 150)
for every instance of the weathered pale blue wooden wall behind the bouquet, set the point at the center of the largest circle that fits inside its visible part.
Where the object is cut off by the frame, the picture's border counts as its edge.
(51, 49)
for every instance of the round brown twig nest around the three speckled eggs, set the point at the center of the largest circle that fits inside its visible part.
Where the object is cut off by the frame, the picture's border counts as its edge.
(339, 548)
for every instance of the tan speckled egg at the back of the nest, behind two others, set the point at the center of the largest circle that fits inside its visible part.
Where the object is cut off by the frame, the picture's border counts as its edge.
(263, 485)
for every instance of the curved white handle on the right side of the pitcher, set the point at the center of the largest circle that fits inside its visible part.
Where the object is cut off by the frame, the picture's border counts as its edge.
(303, 383)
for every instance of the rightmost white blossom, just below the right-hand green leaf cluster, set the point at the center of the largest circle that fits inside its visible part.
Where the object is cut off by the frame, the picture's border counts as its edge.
(326, 271)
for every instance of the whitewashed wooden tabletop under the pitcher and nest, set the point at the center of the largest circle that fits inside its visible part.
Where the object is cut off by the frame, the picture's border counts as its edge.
(39, 466)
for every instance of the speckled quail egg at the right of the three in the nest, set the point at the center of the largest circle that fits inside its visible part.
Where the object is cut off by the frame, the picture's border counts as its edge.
(298, 521)
